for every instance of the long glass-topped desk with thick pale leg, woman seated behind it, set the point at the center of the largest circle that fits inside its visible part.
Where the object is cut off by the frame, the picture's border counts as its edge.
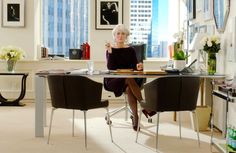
(41, 78)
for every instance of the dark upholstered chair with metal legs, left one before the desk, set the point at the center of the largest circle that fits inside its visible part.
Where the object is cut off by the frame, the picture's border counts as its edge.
(76, 93)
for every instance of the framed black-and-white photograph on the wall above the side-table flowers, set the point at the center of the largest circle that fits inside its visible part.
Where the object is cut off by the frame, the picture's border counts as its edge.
(13, 13)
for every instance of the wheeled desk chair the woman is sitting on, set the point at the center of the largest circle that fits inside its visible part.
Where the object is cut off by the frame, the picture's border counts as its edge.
(140, 50)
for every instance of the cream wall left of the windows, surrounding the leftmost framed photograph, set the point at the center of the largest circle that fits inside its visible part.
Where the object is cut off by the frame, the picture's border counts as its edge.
(22, 37)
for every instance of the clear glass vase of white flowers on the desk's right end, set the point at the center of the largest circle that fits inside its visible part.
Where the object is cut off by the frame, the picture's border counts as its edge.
(211, 45)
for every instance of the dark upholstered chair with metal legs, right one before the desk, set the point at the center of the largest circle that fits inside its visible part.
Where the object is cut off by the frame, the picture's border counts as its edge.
(171, 93)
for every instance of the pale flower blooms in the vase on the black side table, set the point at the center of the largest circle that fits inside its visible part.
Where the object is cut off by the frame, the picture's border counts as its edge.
(11, 53)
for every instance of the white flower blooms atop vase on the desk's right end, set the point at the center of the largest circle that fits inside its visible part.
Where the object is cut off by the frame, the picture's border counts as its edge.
(211, 44)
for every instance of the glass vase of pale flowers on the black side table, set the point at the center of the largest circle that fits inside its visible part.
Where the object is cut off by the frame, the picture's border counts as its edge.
(11, 55)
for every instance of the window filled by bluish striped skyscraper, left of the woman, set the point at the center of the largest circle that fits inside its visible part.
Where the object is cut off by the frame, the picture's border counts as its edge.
(64, 25)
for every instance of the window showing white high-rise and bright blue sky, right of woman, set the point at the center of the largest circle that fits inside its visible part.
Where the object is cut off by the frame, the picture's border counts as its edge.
(149, 24)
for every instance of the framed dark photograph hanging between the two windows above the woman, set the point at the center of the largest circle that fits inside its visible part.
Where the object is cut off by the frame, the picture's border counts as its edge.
(108, 13)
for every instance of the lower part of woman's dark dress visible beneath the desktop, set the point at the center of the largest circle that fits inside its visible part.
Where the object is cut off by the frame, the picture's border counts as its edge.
(118, 86)
